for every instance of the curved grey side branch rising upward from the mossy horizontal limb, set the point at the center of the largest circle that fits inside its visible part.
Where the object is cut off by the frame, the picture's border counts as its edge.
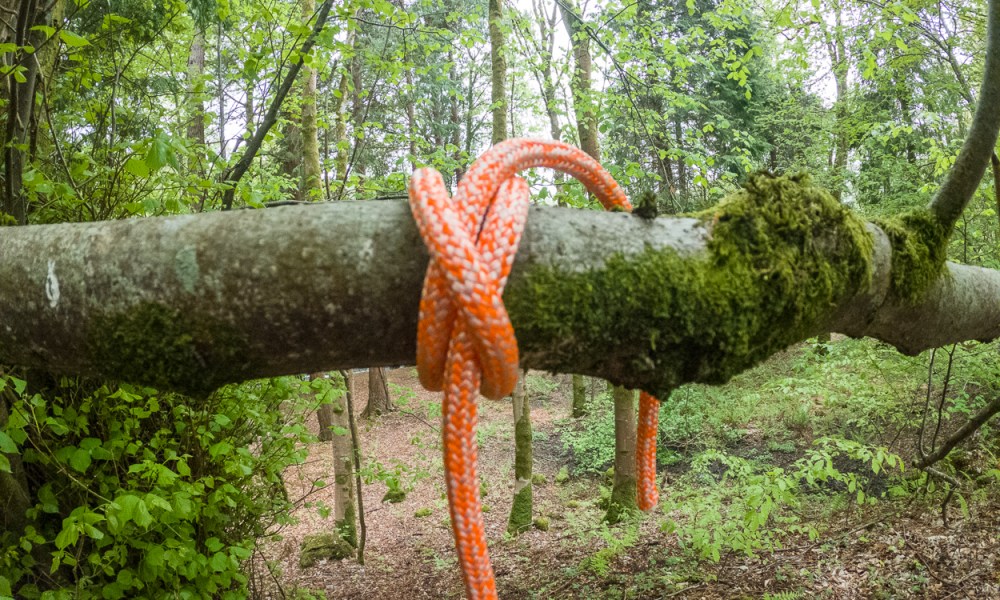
(969, 167)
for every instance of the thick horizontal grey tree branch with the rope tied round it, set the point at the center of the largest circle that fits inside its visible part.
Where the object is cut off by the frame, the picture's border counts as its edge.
(191, 302)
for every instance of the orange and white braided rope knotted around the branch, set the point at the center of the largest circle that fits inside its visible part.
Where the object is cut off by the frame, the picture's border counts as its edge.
(465, 341)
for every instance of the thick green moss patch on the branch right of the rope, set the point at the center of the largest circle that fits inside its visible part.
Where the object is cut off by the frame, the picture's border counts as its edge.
(781, 253)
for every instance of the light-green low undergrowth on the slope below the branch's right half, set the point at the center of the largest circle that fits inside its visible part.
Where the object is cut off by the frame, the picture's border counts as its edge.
(791, 449)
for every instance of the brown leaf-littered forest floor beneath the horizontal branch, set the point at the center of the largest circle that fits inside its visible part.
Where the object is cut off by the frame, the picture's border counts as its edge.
(893, 549)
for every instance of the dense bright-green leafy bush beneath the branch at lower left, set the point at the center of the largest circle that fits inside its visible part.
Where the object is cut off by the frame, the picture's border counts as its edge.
(138, 493)
